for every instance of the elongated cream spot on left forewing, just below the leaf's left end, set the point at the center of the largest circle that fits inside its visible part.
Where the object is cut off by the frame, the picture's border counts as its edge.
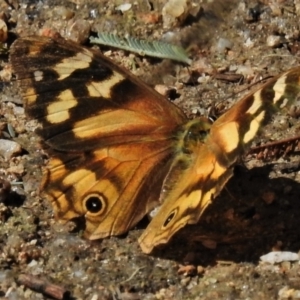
(70, 64)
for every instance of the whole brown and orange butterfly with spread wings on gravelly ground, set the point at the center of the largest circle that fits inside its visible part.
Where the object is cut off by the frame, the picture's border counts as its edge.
(118, 149)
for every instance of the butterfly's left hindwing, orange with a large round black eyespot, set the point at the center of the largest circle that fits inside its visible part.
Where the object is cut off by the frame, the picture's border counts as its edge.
(106, 186)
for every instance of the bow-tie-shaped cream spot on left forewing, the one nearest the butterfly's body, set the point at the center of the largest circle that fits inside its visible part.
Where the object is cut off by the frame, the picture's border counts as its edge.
(103, 88)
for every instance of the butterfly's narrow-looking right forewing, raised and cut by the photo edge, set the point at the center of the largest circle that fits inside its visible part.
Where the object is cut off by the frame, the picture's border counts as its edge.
(234, 131)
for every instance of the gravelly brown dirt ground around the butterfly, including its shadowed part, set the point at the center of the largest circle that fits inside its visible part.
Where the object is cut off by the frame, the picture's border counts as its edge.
(259, 211)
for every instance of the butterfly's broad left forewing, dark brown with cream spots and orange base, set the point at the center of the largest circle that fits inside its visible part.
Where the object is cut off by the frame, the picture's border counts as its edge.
(83, 100)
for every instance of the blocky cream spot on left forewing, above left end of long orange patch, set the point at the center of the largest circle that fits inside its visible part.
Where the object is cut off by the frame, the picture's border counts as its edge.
(57, 111)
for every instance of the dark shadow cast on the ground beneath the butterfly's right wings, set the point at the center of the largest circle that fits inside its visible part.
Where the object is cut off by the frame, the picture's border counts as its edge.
(256, 213)
